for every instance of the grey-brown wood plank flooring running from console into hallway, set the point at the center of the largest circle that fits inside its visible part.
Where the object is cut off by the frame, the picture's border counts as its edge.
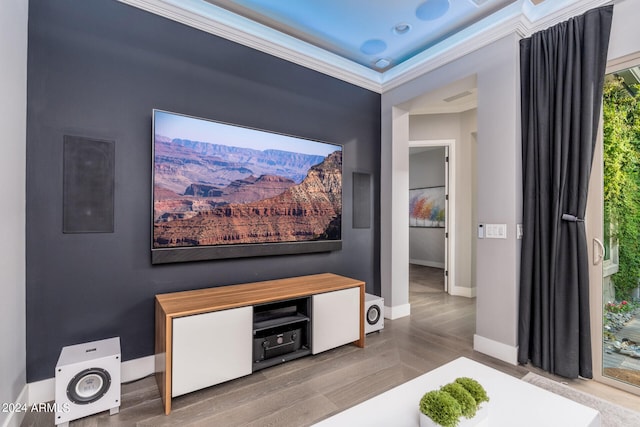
(304, 391)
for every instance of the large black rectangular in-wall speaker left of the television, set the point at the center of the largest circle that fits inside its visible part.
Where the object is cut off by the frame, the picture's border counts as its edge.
(88, 185)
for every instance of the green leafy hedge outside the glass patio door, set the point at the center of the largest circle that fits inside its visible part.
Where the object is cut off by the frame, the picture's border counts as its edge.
(621, 112)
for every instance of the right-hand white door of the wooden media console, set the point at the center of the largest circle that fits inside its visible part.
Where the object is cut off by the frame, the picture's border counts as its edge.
(335, 319)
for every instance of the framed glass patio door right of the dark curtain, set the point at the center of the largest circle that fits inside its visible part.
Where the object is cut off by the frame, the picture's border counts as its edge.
(612, 213)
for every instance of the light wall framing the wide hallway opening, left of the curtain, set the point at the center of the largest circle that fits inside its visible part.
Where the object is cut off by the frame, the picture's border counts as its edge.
(498, 173)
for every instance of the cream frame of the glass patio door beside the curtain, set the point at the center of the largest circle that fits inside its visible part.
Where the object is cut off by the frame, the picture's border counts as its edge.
(595, 230)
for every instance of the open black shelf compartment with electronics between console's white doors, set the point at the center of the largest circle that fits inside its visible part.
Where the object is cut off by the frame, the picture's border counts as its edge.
(280, 332)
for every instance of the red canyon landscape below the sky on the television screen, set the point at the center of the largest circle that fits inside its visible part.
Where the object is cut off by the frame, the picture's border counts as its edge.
(215, 194)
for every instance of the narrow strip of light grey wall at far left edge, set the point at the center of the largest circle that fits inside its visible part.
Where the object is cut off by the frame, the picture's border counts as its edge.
(13, 87)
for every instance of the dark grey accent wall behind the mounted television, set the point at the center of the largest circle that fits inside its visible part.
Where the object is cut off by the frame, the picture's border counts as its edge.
(96, 69)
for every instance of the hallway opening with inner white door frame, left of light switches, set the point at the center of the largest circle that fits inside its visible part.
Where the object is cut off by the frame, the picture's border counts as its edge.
(441, 255)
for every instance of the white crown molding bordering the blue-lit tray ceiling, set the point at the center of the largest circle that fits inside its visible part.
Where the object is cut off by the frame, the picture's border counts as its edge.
(521, 18)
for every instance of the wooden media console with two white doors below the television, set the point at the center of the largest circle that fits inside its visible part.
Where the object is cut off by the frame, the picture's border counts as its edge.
(207, 336)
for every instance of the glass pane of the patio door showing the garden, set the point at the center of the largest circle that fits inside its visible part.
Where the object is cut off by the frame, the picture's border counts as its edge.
(621, 227)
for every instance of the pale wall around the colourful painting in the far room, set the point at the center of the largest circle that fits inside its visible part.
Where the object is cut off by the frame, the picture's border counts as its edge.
(427, 245)
